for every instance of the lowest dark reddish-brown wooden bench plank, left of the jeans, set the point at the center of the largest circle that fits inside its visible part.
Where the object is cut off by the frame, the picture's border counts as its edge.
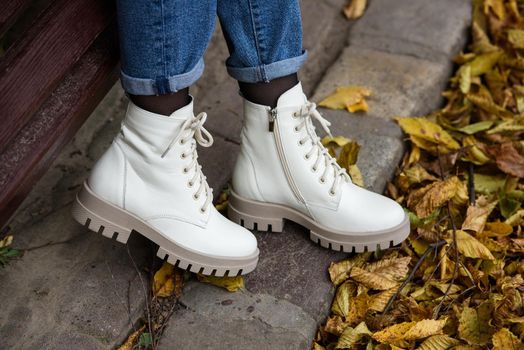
(34, 148)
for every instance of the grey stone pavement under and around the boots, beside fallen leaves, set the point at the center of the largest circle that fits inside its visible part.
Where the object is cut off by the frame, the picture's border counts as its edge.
(88, 292)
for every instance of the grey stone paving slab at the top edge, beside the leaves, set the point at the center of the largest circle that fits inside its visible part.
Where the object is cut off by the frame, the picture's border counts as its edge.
(428, 29)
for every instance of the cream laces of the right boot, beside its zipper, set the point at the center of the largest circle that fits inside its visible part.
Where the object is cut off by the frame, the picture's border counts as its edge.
(306, 114)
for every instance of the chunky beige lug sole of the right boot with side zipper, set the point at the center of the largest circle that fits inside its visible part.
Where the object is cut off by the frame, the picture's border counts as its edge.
(270, 217)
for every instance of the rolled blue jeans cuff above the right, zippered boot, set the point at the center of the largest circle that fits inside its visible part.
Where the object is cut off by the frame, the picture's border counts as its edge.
(268, 72)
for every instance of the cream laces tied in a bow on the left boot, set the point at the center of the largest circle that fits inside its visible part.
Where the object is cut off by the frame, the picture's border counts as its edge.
(193, 131)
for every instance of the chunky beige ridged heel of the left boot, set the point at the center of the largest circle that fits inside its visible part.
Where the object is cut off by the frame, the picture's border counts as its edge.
(98, 224)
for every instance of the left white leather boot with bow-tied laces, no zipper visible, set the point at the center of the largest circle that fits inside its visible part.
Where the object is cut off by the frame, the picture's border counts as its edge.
(149, 181)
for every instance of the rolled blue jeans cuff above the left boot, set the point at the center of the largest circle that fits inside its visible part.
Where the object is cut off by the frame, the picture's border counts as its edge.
(161, 85)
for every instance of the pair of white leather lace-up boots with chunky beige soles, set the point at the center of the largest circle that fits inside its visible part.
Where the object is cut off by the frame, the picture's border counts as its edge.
(149, 180)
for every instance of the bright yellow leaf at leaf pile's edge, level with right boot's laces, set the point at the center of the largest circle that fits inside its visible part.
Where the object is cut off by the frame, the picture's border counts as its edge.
(428, 135)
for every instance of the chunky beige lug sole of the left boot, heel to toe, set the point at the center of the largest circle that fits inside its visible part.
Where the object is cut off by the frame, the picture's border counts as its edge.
(115, 223)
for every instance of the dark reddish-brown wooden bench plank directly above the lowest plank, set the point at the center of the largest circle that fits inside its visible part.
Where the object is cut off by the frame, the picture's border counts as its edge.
(33, 67)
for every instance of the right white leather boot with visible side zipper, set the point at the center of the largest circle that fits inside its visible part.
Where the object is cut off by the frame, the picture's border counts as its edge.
(284, 172)
